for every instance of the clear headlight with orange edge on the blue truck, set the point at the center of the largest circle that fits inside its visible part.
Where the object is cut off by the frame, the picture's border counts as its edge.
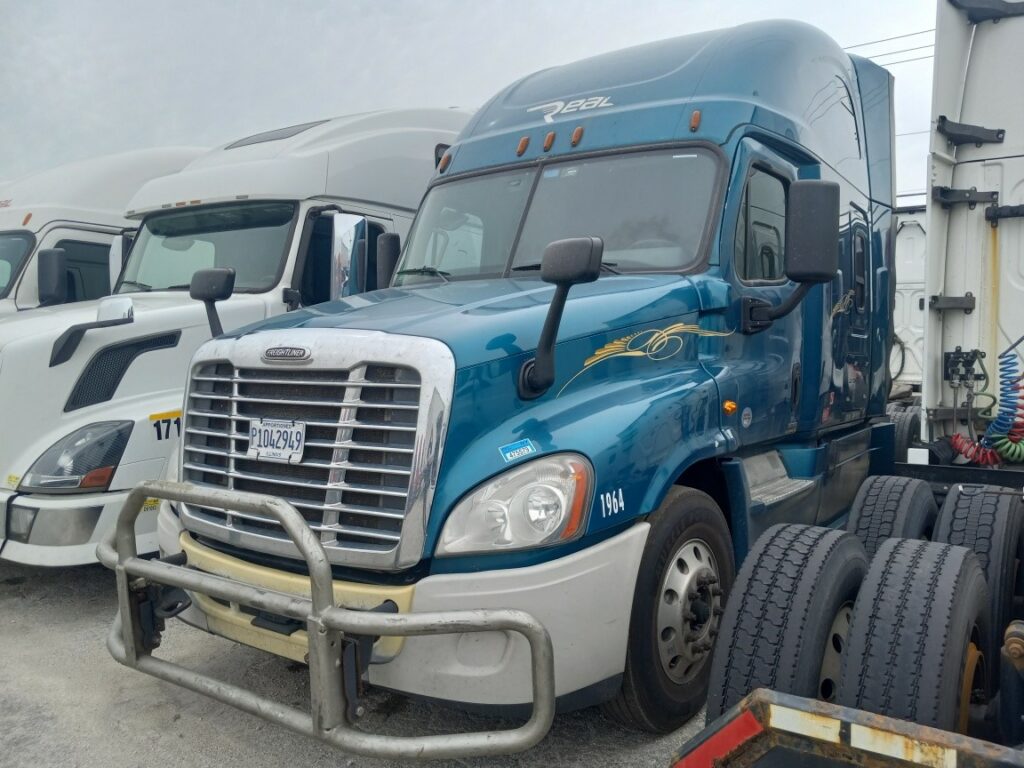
(537, 504)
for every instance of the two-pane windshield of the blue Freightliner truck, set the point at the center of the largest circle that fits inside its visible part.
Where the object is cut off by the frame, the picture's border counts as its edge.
(650, 208)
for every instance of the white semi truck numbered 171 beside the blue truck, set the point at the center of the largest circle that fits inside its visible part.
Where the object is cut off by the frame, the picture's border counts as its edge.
(295, 214)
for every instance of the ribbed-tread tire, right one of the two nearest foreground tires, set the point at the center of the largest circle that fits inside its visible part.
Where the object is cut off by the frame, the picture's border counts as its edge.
(914, 651)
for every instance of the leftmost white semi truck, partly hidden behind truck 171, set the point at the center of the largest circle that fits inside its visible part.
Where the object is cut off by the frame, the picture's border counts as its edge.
(61, 223)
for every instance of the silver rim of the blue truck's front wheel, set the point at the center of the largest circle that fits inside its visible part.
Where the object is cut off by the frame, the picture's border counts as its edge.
(690, 611)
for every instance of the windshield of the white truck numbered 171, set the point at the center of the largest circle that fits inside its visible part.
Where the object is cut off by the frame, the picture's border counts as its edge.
(250, 238)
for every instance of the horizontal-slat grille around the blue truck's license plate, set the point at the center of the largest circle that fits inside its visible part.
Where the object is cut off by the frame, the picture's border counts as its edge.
(354, 482)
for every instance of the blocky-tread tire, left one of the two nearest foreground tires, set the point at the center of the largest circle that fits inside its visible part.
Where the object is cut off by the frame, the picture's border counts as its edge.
(785, 626)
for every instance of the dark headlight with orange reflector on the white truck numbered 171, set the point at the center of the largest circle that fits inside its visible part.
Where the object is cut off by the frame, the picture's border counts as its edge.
(83, 461)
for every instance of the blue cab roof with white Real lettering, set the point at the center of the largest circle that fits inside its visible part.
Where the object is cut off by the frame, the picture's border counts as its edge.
(738, 76)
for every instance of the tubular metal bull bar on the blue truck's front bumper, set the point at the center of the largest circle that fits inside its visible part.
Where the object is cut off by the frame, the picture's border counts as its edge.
(331, 718)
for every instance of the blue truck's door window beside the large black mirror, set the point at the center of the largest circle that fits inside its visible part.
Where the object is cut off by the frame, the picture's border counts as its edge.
(761, 230)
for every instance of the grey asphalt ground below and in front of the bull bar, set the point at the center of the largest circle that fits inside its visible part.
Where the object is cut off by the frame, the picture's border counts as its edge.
(64, 702)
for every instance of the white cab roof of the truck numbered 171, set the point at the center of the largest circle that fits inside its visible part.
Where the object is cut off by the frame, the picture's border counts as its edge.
(301, 162)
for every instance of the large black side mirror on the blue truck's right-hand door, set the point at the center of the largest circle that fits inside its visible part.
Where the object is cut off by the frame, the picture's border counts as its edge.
(813, 232)
